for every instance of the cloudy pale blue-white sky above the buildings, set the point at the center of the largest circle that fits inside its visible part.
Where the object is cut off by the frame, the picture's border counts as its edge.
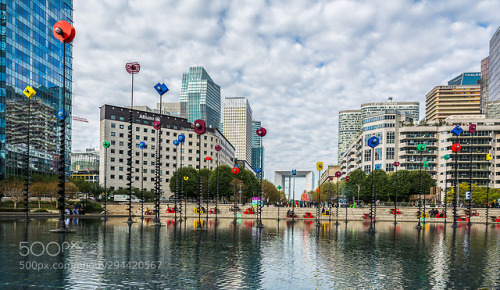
(299, 62)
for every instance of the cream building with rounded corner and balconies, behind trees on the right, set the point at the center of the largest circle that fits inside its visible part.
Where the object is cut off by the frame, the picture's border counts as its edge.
(438, 138)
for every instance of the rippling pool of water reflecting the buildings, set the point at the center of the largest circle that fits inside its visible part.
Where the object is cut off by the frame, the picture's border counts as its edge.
(284, 255)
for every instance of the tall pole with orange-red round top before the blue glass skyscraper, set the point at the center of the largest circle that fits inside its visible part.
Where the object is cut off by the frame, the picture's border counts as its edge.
(65, 33)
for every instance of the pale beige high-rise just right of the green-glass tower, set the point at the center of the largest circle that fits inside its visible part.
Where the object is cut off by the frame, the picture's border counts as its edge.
(238, 127)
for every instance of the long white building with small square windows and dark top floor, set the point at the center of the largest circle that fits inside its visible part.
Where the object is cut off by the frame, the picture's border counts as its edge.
(113, 161)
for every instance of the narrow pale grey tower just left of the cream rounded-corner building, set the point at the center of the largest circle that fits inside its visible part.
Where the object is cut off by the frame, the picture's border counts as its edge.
(349, 129)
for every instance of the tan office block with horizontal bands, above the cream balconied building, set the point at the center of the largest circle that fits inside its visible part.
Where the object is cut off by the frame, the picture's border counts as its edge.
(444, 101)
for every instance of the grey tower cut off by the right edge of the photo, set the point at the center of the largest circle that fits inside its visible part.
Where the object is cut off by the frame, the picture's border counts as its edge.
(494, 77)
